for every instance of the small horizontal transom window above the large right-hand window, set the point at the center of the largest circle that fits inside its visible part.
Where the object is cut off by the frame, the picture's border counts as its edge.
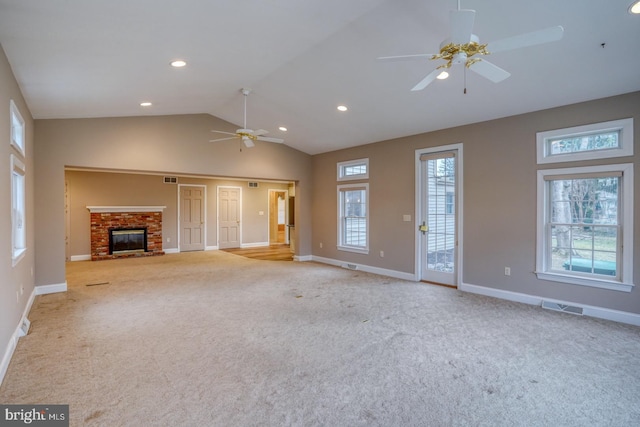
(596, 141)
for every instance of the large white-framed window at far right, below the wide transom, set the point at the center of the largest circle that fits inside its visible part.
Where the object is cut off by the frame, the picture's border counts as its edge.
(585, 226)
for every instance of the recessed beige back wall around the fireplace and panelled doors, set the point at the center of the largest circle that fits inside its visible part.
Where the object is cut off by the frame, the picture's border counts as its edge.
(92, 188)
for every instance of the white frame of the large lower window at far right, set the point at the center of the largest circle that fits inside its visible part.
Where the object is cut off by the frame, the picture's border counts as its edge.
(543, 271)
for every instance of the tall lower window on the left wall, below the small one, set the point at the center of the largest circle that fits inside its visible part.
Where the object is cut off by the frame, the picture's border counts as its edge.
(18, 210)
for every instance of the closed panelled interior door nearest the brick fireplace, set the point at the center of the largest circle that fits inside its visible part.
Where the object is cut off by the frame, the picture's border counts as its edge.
(192, 218)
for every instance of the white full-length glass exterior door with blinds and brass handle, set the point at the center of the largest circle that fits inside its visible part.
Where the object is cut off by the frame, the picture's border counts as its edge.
(438, 222)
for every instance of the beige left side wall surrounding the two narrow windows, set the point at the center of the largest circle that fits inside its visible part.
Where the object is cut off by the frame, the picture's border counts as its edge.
(16, 282)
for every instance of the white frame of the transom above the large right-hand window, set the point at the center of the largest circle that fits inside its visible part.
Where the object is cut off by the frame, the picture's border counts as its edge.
(625, 148)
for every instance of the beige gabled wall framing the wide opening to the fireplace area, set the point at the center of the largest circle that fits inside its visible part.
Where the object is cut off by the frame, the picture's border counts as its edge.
(164, 145)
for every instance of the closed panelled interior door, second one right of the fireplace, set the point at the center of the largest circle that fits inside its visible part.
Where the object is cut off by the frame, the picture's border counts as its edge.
(229, 202)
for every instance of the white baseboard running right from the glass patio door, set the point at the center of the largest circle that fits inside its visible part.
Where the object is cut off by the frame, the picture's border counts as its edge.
(587, 310)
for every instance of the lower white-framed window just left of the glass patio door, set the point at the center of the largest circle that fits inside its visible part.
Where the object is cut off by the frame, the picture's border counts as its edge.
(353, 219)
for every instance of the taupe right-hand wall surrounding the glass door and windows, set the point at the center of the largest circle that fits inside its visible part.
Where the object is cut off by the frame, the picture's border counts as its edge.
(499, 217)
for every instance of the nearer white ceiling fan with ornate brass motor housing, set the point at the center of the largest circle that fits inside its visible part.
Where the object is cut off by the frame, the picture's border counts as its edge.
(463, 47)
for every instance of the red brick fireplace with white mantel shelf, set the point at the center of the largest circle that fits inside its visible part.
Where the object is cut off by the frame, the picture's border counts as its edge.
(105, 219)
